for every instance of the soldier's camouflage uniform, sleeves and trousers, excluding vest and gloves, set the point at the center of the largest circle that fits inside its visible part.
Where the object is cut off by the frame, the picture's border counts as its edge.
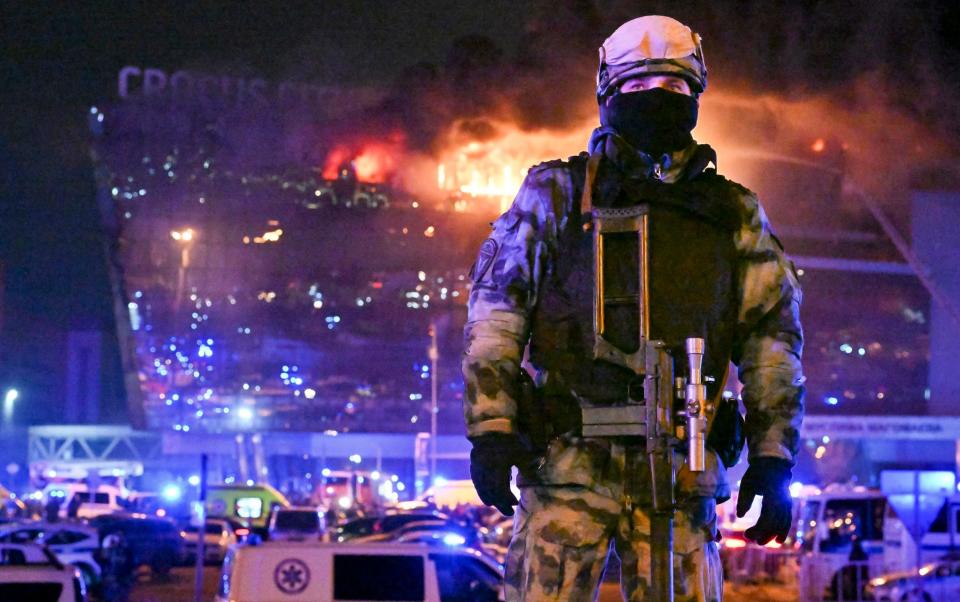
(573, 506)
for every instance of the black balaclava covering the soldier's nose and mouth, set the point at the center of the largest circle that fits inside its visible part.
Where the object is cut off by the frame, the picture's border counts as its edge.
(655, 121)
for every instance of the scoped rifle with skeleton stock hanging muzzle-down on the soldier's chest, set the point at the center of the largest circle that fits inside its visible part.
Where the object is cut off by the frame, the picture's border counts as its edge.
(647, 417)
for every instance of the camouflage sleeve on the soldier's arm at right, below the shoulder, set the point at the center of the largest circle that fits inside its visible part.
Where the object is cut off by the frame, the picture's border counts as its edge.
(770, 341)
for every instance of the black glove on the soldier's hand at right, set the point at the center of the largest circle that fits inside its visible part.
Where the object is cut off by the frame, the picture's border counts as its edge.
(770, 478)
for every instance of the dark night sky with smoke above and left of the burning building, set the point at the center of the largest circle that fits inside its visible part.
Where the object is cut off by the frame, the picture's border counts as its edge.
(59, 59)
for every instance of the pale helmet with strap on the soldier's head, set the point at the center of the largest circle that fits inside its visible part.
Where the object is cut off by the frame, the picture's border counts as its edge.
(651, 45)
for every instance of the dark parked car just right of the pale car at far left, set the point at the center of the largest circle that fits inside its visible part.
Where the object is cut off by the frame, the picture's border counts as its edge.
(153, 541)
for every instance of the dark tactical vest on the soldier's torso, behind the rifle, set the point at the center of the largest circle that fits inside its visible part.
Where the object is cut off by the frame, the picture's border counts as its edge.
(693, 286)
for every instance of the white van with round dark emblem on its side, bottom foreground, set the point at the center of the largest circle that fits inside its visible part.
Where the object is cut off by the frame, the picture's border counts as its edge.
(278, 571)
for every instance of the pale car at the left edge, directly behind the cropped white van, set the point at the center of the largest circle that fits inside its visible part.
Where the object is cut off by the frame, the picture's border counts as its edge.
(72, 543)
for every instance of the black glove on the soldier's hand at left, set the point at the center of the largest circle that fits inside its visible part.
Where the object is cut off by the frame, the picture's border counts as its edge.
(491, 461)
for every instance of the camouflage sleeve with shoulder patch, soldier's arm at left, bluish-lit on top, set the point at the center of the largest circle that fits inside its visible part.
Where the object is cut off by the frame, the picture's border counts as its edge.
(506, 278)
